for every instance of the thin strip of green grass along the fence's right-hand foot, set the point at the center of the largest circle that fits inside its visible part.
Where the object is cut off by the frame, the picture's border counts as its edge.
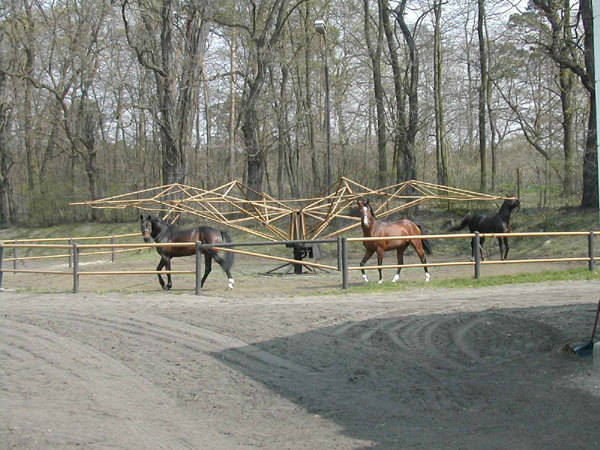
(462, 283)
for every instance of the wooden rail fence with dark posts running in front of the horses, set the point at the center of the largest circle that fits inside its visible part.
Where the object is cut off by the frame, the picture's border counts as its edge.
(76, 250)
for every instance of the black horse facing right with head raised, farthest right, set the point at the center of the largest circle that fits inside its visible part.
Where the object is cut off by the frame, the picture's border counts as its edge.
(498, 223)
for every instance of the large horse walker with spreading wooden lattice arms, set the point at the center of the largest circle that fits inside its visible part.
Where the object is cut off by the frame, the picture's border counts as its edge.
(236, 205)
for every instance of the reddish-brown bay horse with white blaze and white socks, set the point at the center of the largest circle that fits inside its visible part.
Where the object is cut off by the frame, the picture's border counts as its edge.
(375, 228)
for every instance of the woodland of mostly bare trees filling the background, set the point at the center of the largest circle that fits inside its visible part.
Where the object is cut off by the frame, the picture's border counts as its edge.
(102, 97)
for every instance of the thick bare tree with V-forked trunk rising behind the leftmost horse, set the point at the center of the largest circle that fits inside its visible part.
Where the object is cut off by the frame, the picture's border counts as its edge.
(169, 39)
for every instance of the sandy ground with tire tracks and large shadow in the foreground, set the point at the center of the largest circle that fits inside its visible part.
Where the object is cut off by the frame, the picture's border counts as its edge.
(267, 365)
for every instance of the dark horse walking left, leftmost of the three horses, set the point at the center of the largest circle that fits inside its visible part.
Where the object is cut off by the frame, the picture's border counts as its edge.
(157, 230)
